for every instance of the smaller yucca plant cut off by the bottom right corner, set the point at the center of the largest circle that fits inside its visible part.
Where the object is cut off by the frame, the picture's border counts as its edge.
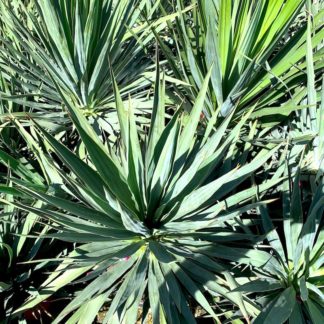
(295, 294)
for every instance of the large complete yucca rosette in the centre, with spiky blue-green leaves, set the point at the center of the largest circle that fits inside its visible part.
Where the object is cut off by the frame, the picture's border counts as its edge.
(155, 220)
